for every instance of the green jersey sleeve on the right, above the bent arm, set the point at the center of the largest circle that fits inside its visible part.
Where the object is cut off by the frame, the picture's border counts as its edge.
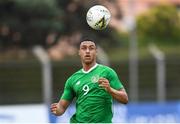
(114, 80)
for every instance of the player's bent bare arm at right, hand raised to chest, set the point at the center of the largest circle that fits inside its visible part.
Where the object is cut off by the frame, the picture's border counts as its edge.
(119, 95)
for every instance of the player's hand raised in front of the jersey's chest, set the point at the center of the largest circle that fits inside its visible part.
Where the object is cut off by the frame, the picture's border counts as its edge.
(104, 83)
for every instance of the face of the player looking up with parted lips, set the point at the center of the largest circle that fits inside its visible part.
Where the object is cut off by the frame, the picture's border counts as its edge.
(88, 52)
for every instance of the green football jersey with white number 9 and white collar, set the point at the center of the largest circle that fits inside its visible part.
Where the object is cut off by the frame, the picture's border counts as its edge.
(93, 103)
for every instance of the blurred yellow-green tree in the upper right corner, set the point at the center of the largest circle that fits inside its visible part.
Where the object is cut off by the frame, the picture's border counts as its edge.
(161, 24)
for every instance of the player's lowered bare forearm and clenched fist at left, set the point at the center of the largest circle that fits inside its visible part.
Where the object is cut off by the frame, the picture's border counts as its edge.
(60, 107)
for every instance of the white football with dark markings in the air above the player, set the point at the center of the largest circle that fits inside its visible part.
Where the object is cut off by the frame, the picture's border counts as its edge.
(98, 17)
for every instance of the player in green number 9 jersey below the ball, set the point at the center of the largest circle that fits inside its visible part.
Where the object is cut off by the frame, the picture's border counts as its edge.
(94, 86)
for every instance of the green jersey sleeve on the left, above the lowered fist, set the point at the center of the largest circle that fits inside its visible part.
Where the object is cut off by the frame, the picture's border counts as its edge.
(68, 93)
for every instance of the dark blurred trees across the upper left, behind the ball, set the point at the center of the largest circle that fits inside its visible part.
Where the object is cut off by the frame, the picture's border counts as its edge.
(31, 22)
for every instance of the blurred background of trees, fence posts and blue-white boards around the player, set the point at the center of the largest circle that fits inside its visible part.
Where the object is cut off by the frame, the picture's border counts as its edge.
(38, 51)
